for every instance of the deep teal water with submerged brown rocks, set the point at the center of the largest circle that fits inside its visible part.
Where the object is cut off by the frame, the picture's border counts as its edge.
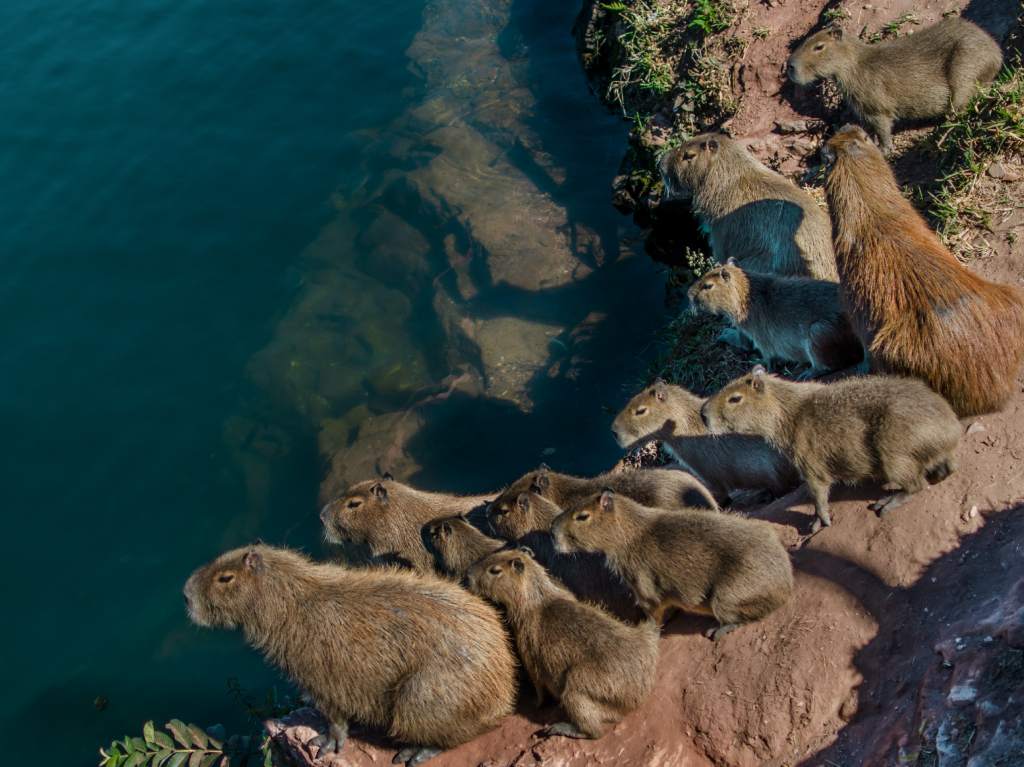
(242, 238)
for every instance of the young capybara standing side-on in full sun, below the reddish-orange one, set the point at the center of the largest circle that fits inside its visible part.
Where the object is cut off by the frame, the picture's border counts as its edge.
(891, 430)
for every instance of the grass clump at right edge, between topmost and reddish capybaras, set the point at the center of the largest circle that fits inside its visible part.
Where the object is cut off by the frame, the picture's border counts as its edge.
(991, 126)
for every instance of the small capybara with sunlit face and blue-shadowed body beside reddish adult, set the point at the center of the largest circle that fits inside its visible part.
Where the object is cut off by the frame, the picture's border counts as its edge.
(788, 319)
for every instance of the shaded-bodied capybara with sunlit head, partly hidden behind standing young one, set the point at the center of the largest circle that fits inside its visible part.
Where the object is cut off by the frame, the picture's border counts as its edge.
(728, 464)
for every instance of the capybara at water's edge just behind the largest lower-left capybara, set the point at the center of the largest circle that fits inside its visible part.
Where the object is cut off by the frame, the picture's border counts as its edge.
(390, 518)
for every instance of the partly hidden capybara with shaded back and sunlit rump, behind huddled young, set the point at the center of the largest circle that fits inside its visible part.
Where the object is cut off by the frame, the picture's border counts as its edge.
(660, 488)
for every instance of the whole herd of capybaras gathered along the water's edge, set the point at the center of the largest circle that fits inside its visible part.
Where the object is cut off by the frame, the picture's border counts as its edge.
(570, 579)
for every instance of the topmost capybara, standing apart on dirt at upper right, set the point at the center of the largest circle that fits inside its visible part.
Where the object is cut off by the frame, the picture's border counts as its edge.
(918, 76)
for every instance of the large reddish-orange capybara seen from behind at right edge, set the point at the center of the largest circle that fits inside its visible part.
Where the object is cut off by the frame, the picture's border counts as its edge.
(917, 310)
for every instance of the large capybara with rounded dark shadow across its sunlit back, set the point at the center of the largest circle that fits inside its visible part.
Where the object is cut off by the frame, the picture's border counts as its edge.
(751, 214)
